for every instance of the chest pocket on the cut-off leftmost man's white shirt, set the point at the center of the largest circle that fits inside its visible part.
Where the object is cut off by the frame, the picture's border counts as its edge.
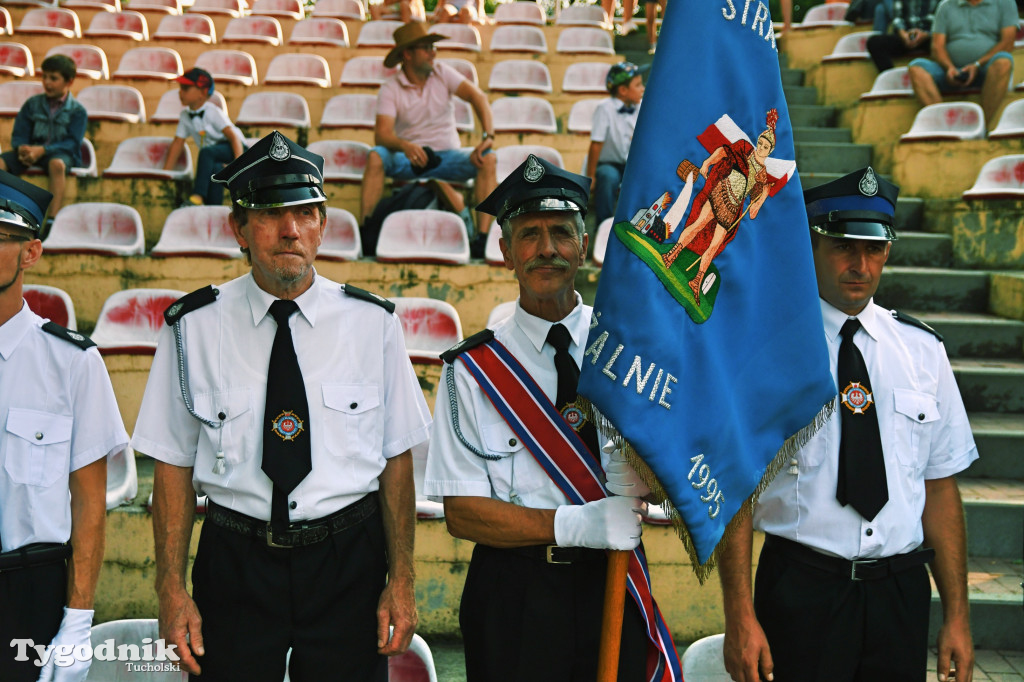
(37, 447)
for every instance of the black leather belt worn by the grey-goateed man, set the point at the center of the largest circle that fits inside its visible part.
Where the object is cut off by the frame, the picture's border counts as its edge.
(300, 534)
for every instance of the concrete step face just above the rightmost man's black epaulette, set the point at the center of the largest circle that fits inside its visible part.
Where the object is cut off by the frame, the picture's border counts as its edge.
(933, 289)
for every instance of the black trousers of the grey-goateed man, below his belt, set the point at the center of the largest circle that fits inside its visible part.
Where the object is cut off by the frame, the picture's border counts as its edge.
(320, 601)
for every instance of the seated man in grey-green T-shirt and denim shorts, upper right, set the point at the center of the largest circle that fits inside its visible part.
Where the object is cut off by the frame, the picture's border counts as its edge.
(972, 41)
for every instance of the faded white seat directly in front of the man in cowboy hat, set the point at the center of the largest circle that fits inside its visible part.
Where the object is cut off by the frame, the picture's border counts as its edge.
(423, 236)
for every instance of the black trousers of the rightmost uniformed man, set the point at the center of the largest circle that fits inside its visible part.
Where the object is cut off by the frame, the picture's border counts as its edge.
(823, 627)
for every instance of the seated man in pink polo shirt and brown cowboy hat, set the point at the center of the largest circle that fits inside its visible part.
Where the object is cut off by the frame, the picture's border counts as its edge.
(415, 131)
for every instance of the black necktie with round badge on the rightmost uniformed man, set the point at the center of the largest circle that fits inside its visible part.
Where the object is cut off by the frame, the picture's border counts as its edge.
(862, 466)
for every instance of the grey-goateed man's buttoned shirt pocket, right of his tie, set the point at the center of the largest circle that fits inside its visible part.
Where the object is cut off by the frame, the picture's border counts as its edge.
(353, 419)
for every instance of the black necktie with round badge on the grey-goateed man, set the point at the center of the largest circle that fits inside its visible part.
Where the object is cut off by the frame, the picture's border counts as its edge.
(286, 435)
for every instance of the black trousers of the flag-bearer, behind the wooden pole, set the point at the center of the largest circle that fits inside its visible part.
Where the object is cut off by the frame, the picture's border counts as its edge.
(524, 619)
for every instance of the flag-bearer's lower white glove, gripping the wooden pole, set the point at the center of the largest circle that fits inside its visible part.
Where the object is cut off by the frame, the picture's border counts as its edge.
(610, 524)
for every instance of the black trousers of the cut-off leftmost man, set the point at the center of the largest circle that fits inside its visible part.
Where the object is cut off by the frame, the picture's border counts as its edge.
(32, 603)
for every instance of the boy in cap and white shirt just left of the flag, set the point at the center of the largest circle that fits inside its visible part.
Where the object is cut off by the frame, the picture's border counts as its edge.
(612, 136)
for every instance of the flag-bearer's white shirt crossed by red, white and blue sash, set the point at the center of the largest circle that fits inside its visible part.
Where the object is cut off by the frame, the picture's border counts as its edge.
(453, 470)
